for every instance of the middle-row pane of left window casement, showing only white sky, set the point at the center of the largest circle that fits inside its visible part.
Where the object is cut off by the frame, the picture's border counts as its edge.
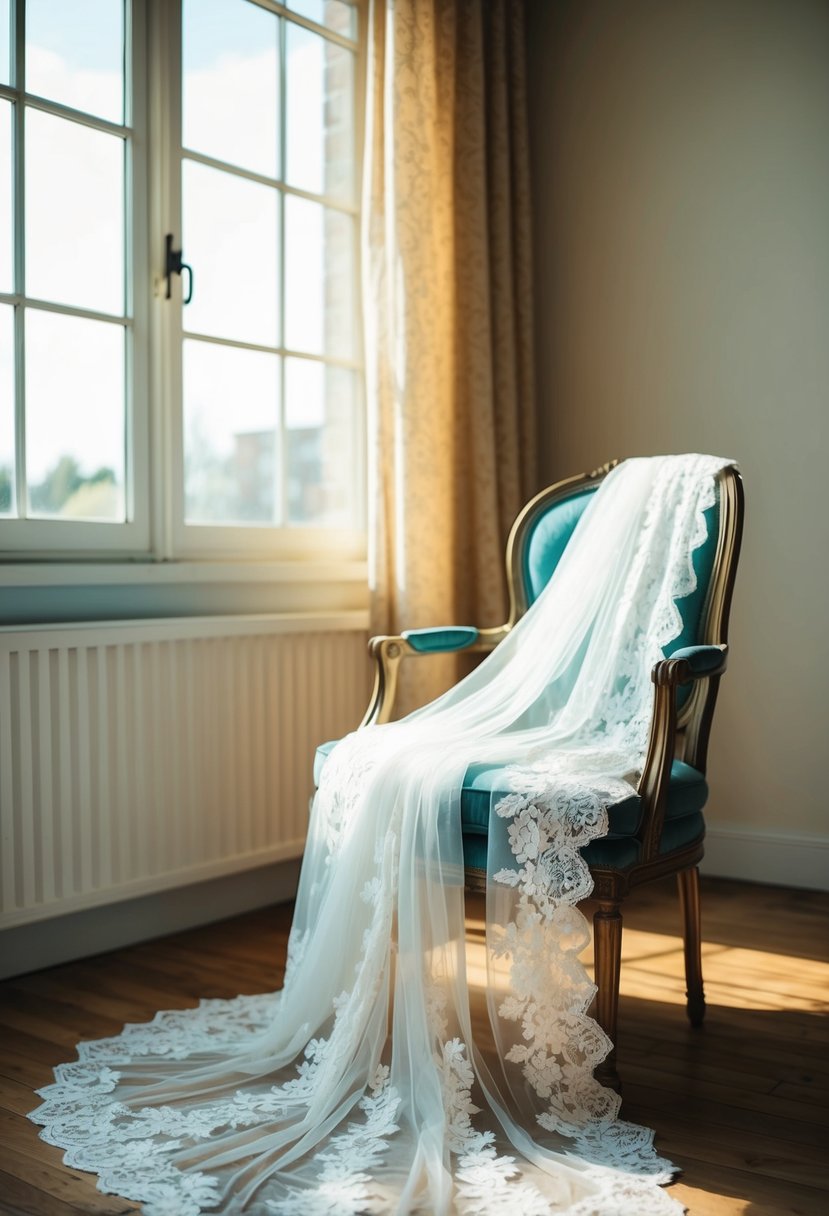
(75, 215)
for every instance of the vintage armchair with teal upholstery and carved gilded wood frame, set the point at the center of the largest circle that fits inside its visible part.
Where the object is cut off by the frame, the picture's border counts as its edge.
(661, 830)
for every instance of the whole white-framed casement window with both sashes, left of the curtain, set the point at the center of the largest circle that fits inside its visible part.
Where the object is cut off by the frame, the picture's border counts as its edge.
(139, 419)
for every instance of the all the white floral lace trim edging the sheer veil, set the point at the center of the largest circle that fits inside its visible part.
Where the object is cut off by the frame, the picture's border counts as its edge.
(548, 819)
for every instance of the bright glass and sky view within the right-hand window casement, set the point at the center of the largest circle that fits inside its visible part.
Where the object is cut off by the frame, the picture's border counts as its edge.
(233, 98)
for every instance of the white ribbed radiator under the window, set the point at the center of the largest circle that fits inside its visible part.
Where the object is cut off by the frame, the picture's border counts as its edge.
(143, 756)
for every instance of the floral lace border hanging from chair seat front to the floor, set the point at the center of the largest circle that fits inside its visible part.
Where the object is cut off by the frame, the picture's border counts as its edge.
(560, 1045)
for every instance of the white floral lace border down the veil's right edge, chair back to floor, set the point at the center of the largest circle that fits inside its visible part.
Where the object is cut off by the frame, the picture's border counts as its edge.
(552, 815)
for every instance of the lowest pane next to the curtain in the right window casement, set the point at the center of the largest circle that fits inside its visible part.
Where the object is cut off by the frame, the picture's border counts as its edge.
(322, 444)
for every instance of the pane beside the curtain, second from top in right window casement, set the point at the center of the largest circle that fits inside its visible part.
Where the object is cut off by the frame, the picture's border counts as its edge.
(320, 115)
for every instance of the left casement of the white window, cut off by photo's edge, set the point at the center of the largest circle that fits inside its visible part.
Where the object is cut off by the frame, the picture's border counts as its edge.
(71, 449)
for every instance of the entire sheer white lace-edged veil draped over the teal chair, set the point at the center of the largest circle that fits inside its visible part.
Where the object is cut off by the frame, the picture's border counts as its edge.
(360, 1088)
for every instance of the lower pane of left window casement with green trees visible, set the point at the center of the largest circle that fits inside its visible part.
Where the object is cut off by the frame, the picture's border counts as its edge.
(75, 418)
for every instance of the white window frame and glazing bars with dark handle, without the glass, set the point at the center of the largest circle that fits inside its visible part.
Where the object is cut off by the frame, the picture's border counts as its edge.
(156, 528)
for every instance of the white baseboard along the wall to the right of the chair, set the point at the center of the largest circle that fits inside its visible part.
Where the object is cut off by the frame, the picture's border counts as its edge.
(777, 858)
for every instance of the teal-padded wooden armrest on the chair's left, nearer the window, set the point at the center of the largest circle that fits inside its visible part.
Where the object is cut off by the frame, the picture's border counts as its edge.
(390, 652)
